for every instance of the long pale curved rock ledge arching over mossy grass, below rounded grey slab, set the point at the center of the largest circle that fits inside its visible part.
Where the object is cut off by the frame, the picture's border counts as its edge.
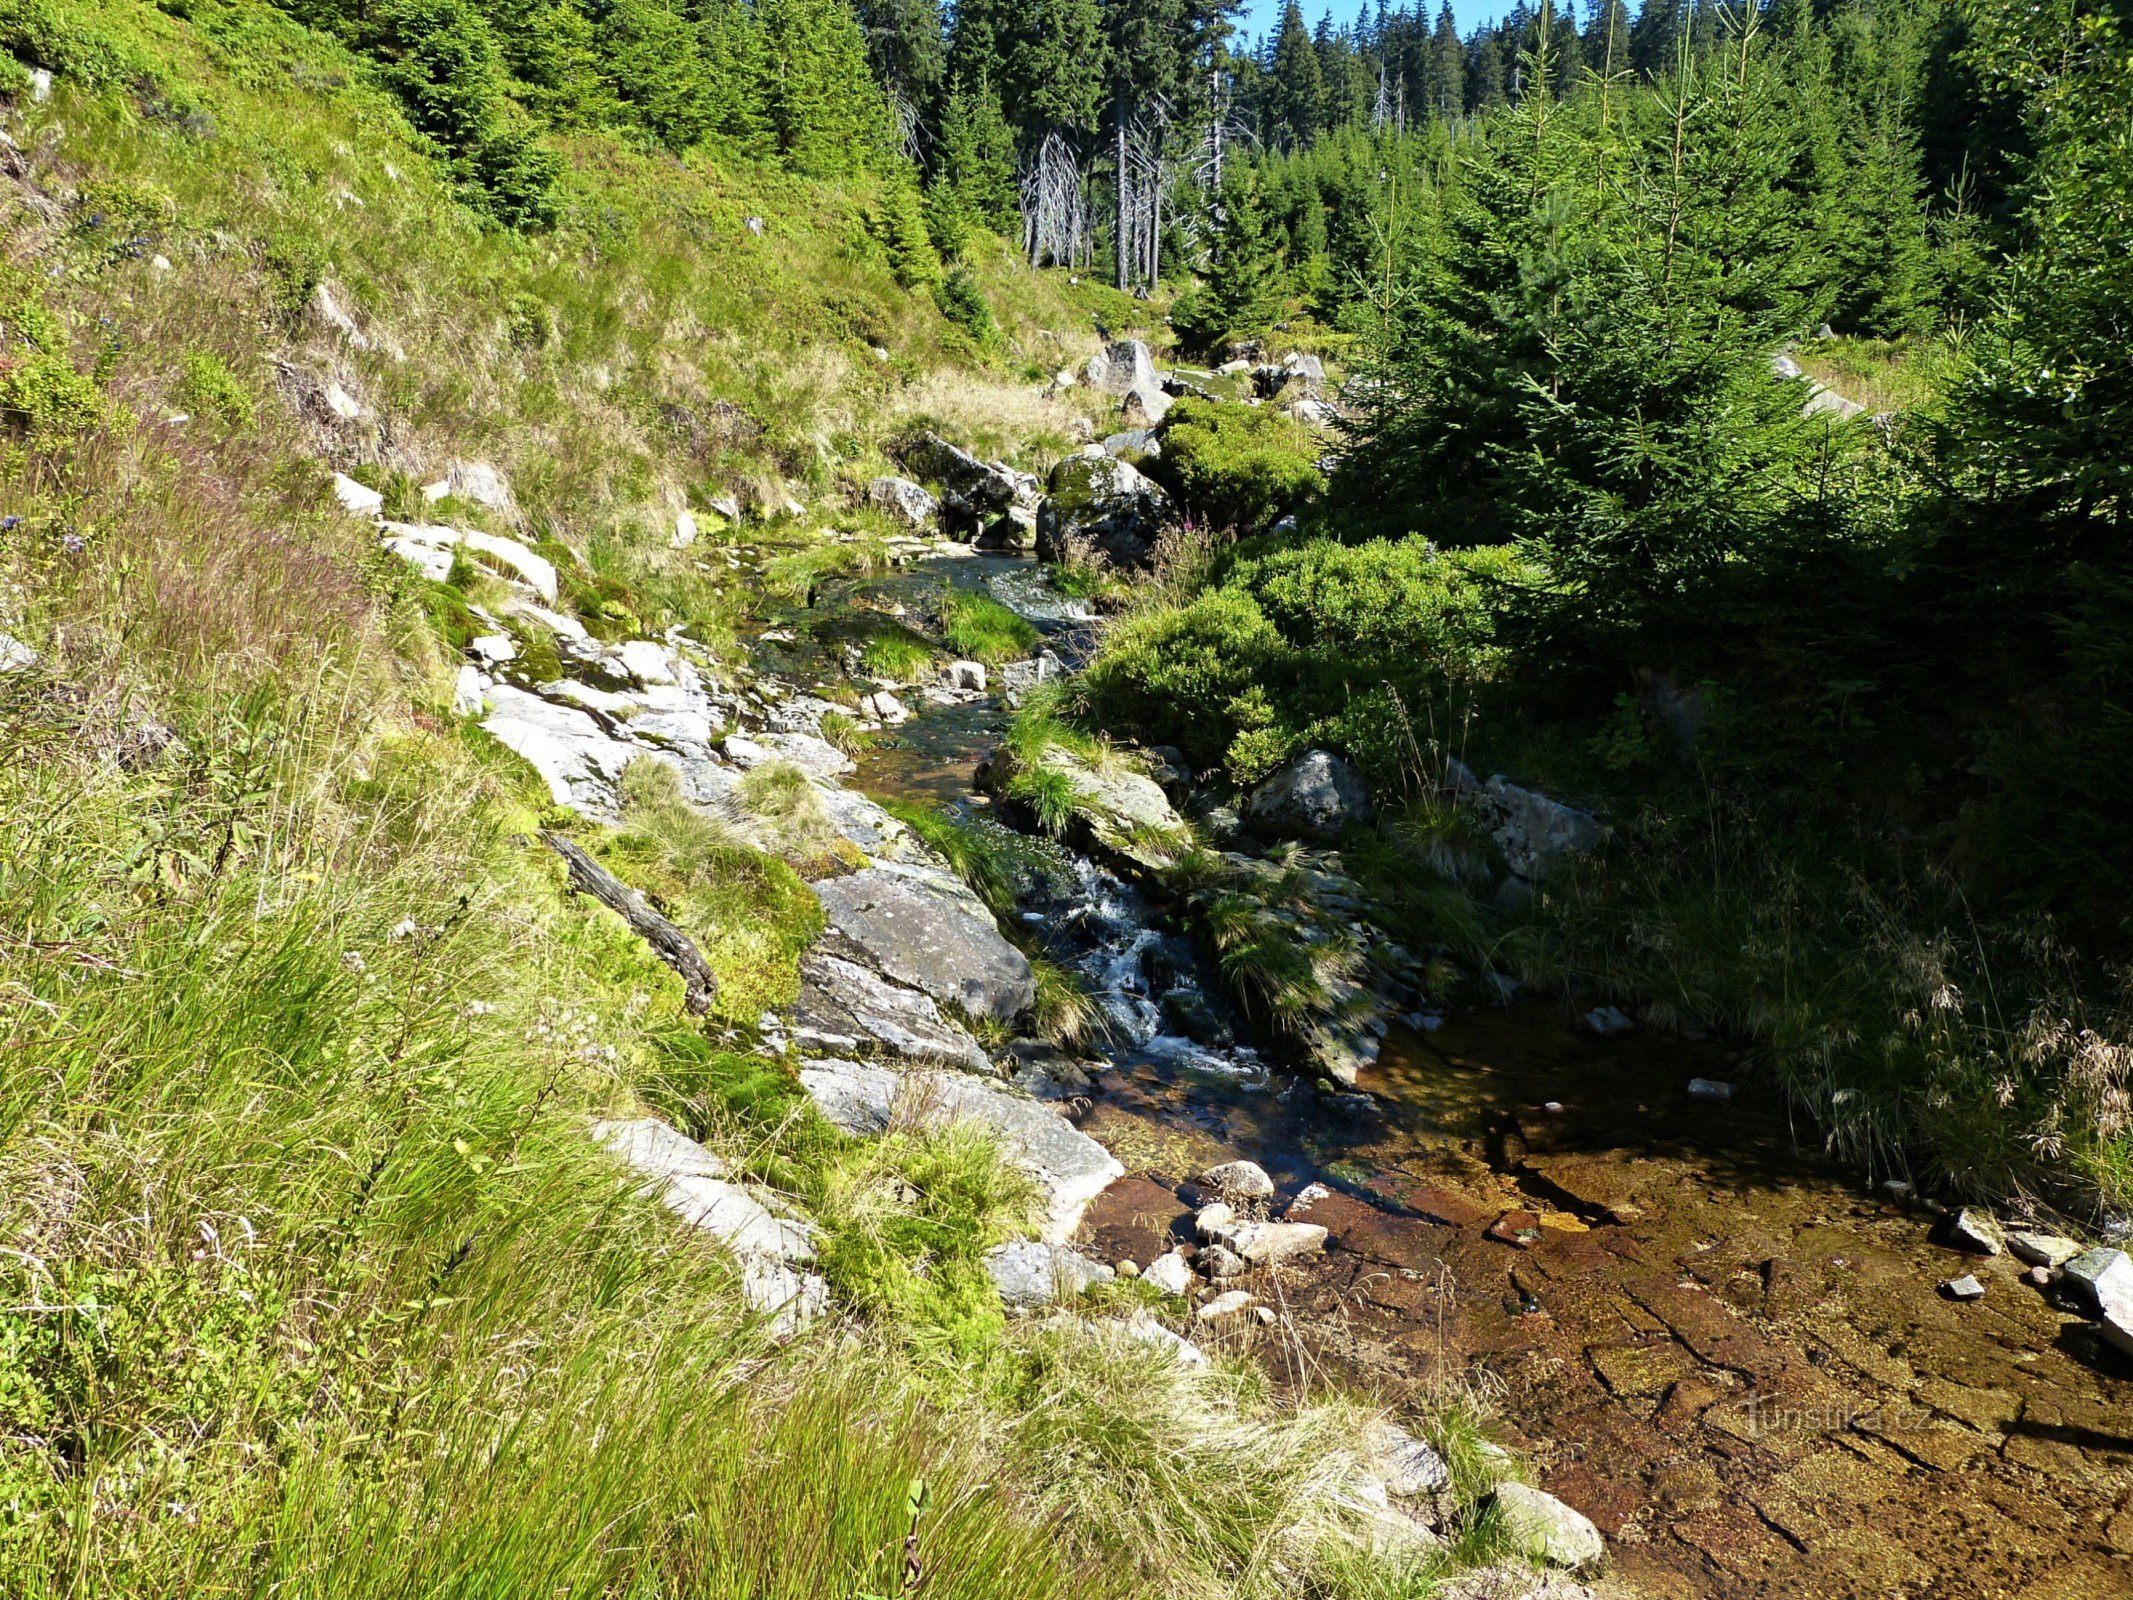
(1070, 1168)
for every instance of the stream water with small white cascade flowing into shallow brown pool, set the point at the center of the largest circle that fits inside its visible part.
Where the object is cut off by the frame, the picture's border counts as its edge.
(1703, 1334)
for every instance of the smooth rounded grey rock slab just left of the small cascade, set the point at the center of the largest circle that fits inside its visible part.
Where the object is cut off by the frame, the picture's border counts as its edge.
(927, 931)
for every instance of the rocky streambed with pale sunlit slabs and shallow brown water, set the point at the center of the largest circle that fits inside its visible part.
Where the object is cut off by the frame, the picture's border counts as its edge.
(1725, 1351)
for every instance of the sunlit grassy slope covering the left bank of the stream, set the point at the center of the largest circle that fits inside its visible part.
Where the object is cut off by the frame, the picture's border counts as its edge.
(308, 1277)
